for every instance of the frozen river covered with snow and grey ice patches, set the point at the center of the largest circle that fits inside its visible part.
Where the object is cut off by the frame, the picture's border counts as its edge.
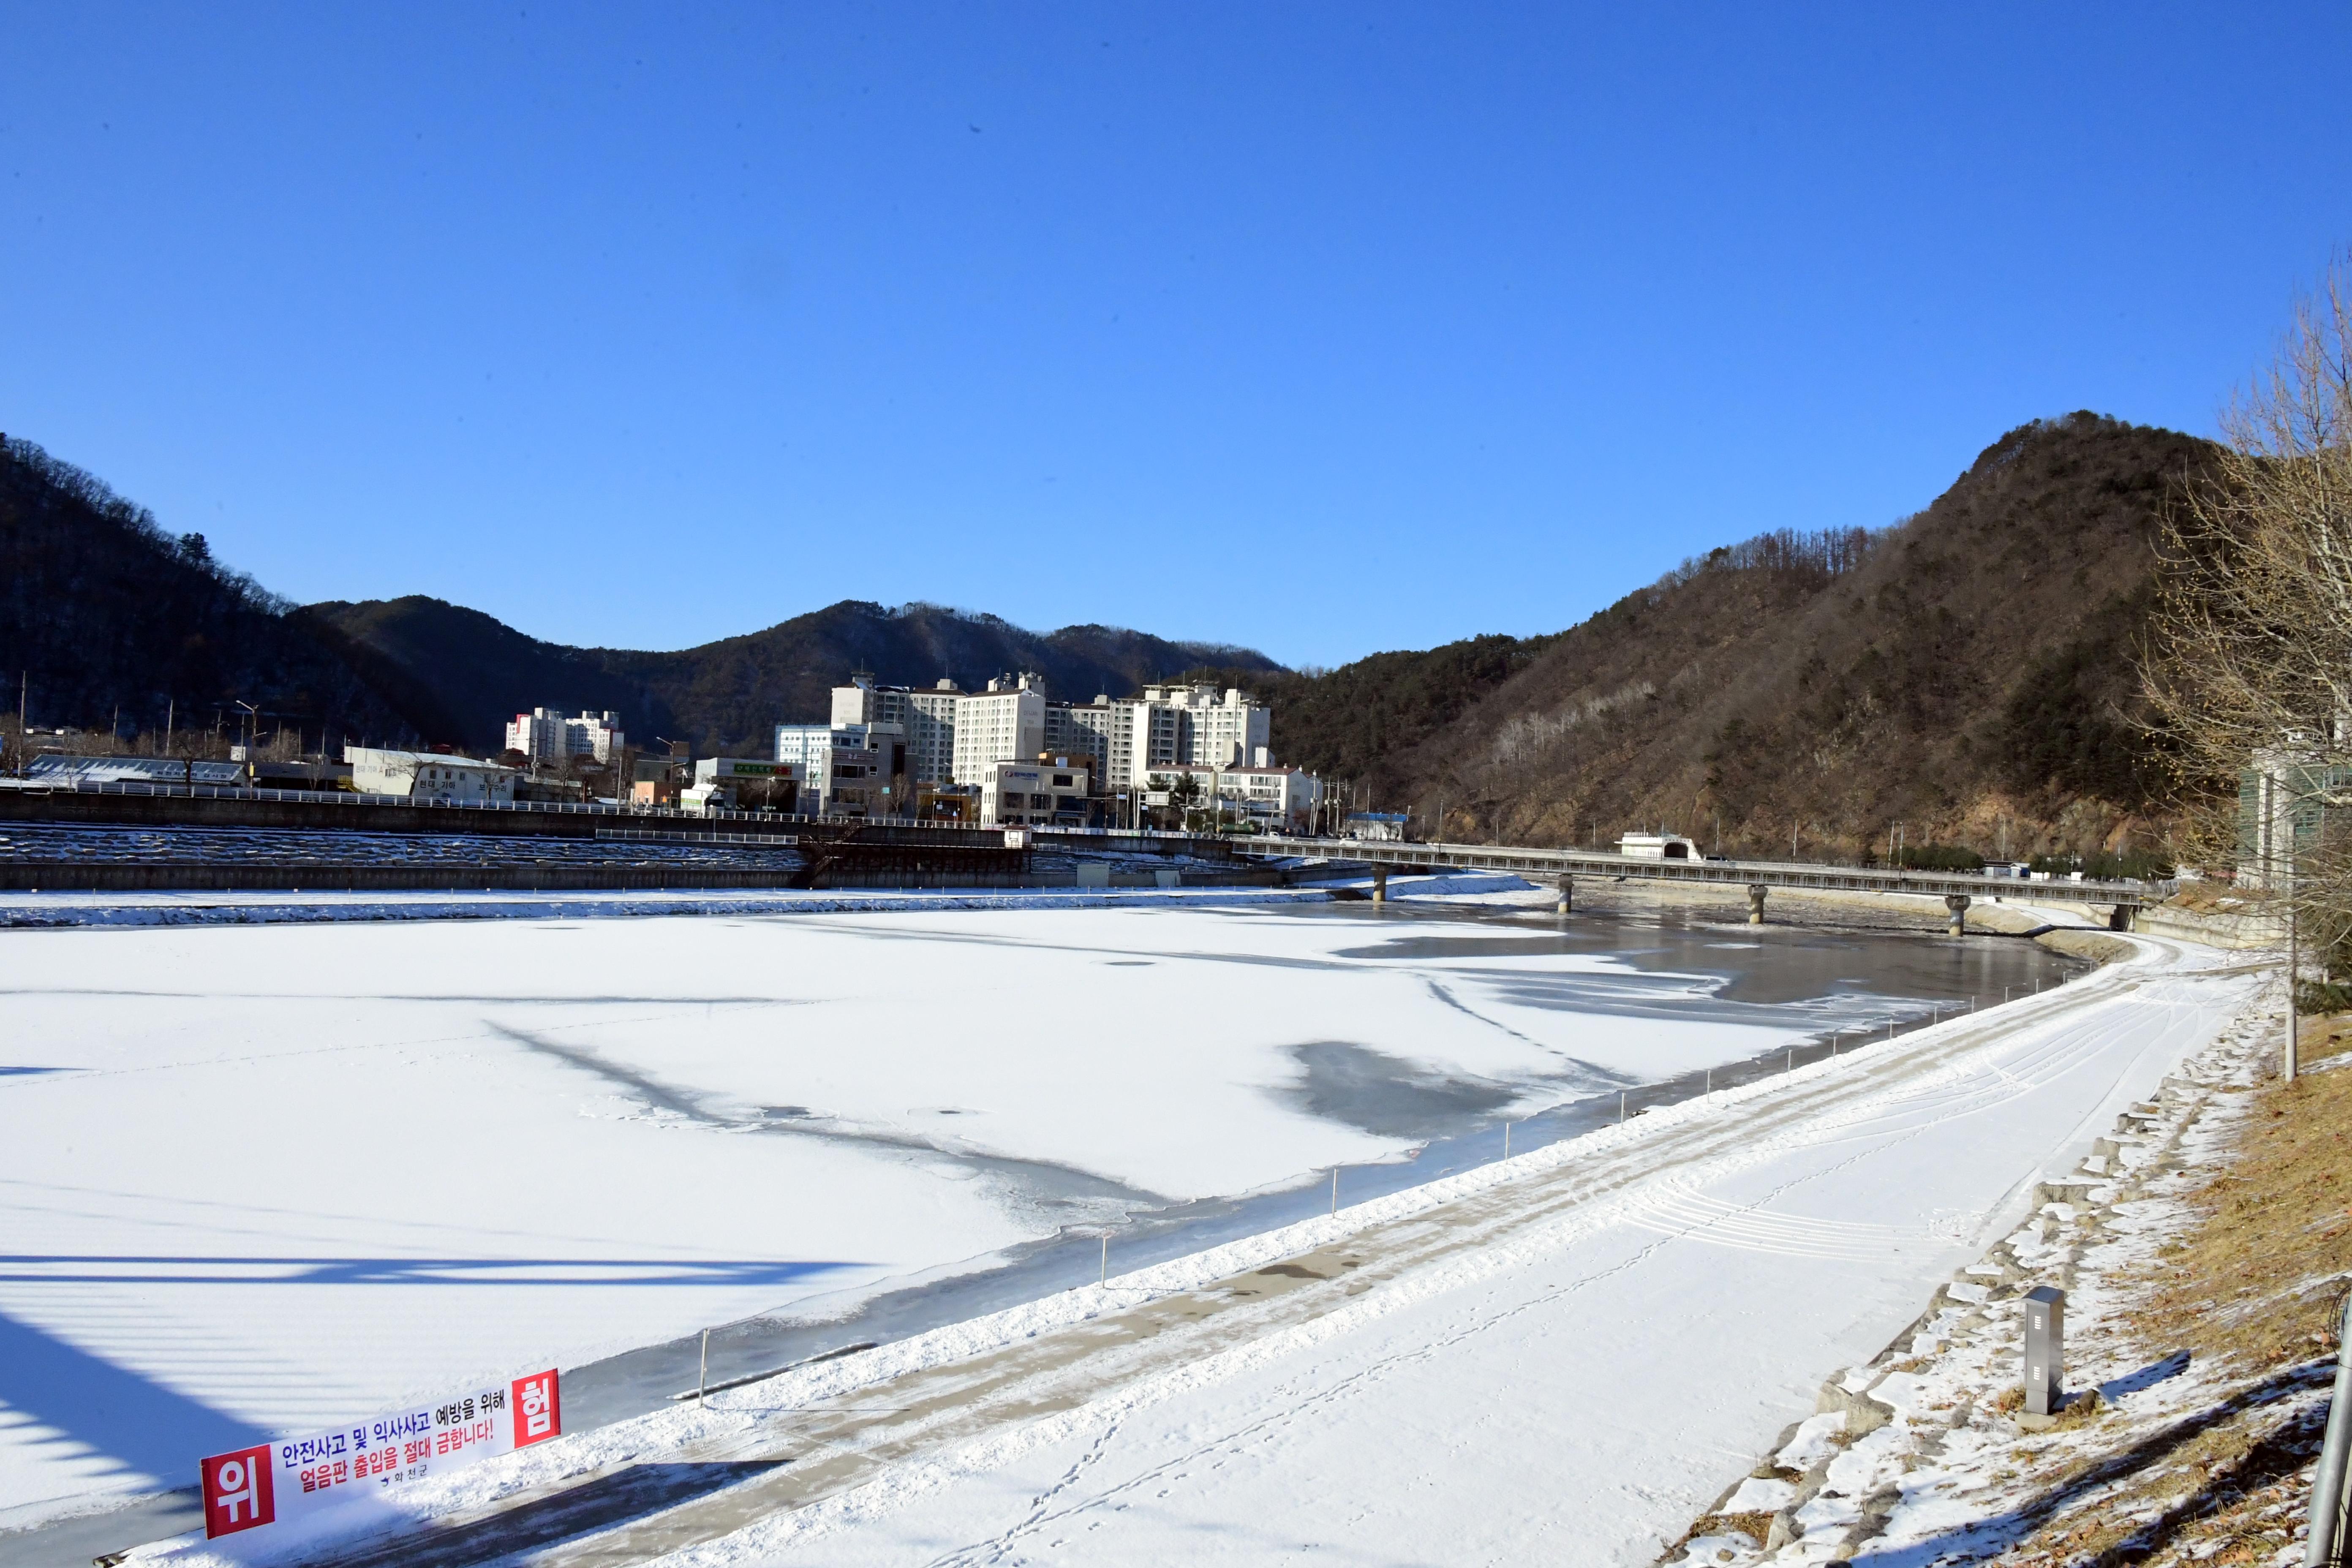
(269, 1179)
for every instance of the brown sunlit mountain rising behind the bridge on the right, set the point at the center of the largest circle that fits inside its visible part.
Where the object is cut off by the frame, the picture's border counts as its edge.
(1967, 674)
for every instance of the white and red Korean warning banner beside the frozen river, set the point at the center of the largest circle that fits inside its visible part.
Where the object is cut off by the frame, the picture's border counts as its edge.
(258, 1487)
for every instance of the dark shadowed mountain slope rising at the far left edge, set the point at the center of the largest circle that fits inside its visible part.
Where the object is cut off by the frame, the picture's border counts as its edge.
(109, 617)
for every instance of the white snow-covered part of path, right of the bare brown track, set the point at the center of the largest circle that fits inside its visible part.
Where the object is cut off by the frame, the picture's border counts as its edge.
(1561, 1369)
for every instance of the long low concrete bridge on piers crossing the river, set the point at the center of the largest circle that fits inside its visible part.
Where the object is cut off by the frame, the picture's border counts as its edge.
(1958, 890)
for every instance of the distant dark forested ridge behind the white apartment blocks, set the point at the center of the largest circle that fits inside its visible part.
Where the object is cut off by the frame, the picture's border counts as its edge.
(476, 674)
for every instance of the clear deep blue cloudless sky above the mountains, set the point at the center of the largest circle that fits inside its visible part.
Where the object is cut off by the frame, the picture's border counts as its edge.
(1318, 328)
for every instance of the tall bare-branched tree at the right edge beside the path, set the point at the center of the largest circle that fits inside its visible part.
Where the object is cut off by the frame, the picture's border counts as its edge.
(2252, 664)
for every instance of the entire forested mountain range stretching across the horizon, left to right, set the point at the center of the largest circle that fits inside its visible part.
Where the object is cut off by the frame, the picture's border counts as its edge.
(1967, 674)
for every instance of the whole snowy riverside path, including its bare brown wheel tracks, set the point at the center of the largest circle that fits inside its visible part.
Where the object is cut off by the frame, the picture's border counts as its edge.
(1556, 1360)
